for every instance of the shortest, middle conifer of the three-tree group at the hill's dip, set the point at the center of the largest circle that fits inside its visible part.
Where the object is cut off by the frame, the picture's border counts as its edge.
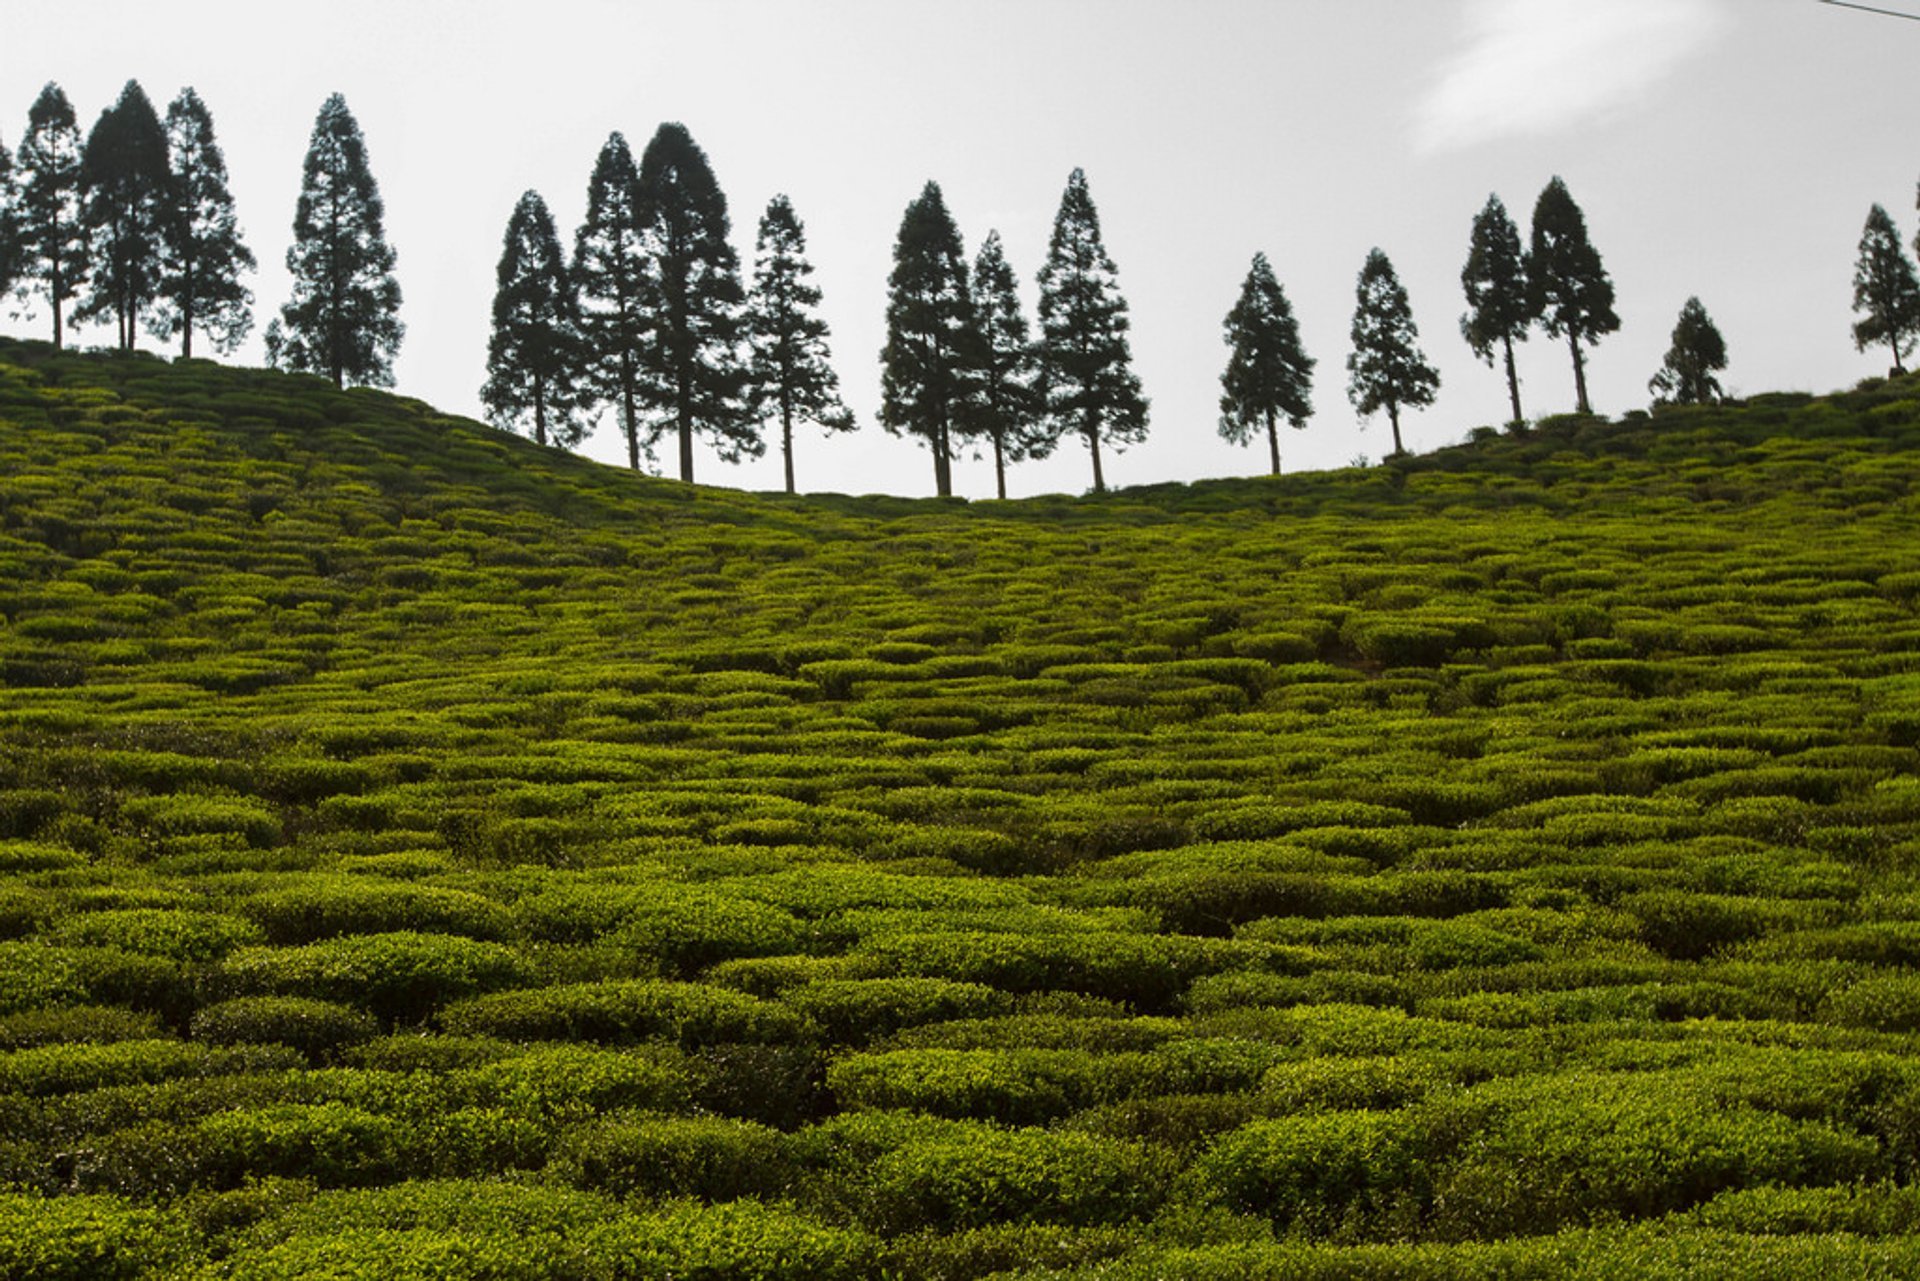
(1011, 412)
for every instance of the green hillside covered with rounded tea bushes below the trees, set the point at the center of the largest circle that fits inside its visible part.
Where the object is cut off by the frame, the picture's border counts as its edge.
(427, 856)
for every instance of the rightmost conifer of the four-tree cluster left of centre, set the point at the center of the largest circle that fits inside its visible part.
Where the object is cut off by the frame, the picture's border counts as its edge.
(792, 377)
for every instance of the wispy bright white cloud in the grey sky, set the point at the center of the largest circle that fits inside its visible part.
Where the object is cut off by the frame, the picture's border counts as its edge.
(1539, 66)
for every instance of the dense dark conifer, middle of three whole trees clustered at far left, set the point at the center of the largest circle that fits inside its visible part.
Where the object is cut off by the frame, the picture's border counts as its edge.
(128, 206)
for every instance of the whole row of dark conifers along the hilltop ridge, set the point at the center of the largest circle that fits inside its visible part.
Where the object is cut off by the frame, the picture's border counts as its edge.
(650, 318)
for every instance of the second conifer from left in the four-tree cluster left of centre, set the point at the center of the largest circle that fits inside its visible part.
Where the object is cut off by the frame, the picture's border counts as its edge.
(610, 272)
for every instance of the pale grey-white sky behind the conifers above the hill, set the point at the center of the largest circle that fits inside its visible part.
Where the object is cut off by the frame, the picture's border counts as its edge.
(1725, 149)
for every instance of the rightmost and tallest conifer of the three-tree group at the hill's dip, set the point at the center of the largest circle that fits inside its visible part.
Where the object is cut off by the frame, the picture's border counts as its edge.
(1086, 362)
